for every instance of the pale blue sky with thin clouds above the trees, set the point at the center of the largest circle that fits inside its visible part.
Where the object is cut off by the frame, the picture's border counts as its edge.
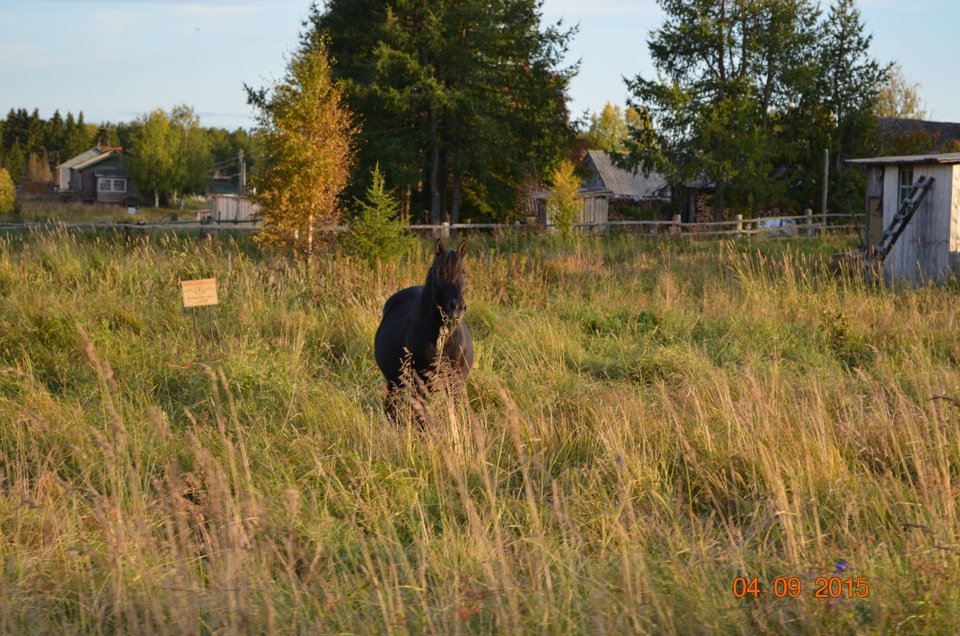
(115, 60)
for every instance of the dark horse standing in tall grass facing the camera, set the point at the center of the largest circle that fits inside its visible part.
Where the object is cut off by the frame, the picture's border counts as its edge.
(423, 329)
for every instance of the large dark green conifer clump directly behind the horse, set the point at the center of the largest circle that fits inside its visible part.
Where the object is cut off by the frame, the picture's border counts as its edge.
(458, 99)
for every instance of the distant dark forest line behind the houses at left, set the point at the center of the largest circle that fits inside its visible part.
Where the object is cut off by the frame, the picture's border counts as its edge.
(31, 147)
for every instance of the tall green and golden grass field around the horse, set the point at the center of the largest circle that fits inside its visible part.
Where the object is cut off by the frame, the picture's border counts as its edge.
(647, 422)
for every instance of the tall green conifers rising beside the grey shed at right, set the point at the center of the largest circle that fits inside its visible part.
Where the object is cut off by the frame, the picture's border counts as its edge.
(790, 84)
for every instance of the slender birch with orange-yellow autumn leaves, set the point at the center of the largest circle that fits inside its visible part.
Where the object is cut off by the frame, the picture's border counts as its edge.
(306, 132)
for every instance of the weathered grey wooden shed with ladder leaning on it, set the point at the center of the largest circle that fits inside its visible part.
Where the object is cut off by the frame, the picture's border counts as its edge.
(921, 242)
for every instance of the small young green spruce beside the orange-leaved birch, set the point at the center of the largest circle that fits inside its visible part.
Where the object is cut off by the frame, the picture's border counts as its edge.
(376, 231)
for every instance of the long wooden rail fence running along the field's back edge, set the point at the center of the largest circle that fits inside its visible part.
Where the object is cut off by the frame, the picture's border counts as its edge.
(773, 226)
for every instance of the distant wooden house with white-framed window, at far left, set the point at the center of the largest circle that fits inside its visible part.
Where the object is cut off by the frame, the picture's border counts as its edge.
(98, 176)
